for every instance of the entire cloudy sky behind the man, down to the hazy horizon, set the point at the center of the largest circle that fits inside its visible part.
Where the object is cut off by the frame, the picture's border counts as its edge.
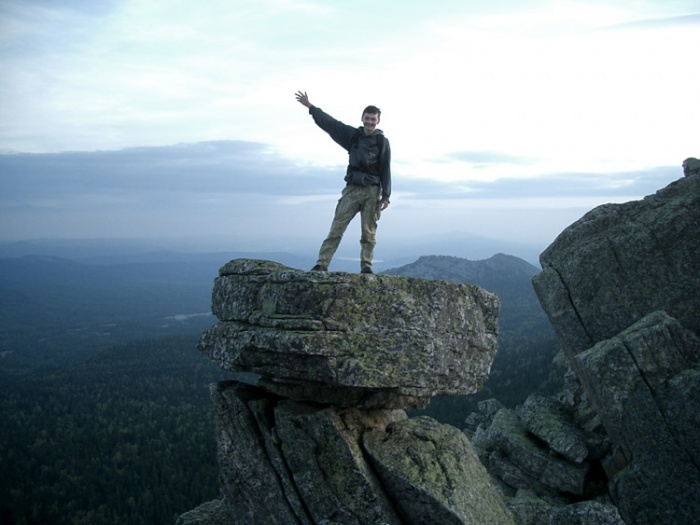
(508, 120)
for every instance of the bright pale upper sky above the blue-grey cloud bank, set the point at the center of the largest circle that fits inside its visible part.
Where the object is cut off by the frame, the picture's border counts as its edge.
(535, 81)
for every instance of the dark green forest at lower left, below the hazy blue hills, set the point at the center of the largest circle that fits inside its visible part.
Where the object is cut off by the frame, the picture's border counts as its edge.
(125, 437)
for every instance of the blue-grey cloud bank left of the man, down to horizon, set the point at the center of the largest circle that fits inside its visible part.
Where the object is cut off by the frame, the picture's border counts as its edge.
(201, 189)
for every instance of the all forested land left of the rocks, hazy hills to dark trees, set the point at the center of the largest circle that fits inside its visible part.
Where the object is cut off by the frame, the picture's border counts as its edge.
(103, 397)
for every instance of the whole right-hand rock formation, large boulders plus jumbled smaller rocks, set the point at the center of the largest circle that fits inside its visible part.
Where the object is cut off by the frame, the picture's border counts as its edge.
(618, 444)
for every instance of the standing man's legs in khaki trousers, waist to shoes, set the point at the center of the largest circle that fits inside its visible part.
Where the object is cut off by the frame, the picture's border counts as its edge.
(354, 199)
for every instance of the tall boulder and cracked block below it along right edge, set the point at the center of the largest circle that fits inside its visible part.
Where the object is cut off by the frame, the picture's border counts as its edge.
(621, 287)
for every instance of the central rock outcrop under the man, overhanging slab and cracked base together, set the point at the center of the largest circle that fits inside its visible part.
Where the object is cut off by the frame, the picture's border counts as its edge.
(313, 430)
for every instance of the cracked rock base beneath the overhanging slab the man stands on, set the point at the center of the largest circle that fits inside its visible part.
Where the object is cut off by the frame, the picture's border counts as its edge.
(293, 463)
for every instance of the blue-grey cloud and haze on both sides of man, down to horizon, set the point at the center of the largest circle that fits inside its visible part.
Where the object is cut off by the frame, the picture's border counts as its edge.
(248, 189)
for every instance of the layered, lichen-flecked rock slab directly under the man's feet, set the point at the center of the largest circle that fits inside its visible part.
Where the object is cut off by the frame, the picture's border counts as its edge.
(348, 339)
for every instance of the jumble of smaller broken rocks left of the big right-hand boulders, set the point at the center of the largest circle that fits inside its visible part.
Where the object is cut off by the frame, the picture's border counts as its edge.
(546, 455)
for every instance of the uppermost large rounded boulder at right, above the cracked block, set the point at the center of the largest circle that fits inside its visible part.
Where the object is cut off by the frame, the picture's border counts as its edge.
(621, 262)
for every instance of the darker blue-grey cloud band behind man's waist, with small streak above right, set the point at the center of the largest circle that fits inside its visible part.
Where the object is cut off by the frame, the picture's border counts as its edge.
(217, 169)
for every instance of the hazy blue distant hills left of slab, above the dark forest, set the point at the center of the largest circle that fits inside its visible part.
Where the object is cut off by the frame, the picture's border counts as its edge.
(55, 311)
